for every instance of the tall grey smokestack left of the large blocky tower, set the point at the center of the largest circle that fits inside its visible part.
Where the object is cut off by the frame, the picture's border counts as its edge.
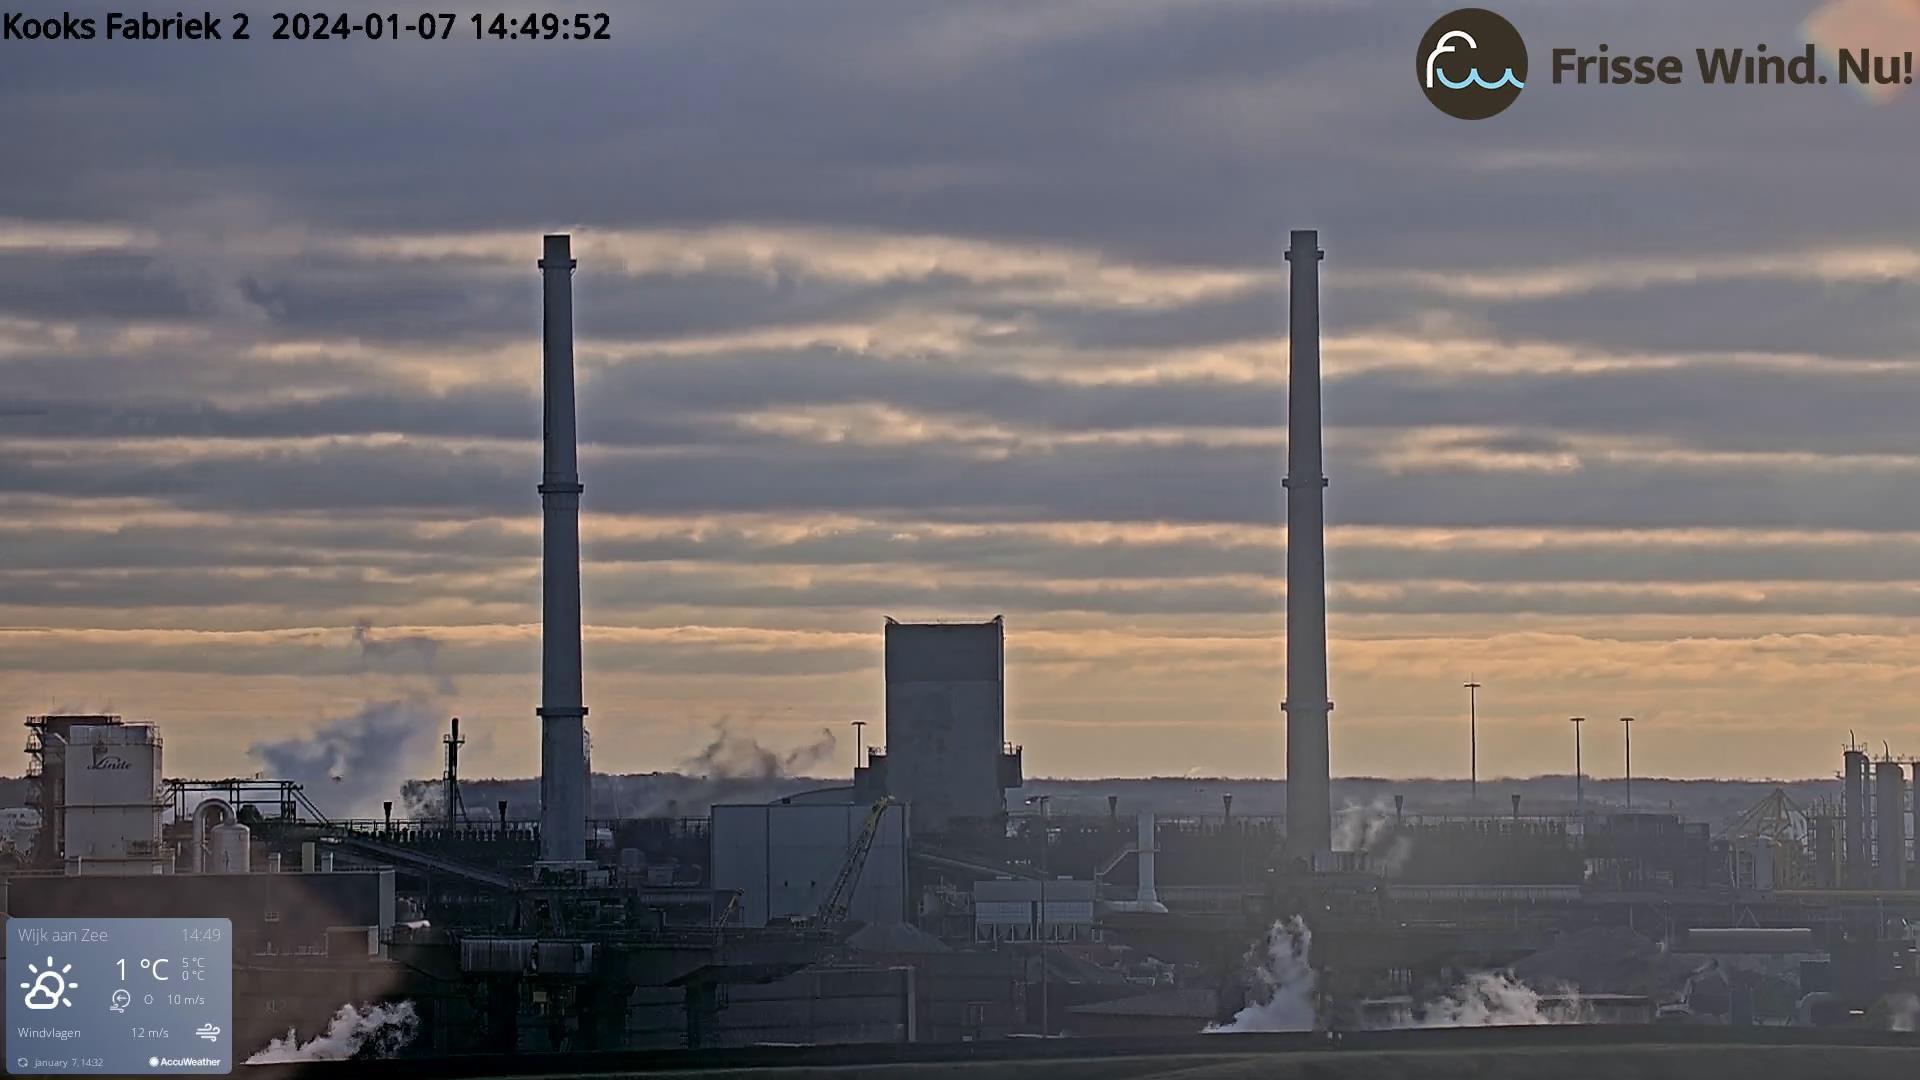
(564, 798)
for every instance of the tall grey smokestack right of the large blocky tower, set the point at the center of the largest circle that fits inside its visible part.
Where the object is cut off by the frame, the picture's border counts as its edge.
(1308, 772)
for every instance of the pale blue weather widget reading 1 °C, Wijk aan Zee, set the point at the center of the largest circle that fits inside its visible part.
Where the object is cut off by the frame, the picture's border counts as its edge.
(120, 996)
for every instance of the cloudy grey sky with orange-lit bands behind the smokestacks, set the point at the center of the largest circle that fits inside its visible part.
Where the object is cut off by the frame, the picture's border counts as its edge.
(961, 308)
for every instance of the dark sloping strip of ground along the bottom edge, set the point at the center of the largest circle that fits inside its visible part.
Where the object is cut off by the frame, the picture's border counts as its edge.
(1474, 1054)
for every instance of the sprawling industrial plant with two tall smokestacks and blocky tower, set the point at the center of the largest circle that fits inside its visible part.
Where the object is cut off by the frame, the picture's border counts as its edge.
(919, 902)
